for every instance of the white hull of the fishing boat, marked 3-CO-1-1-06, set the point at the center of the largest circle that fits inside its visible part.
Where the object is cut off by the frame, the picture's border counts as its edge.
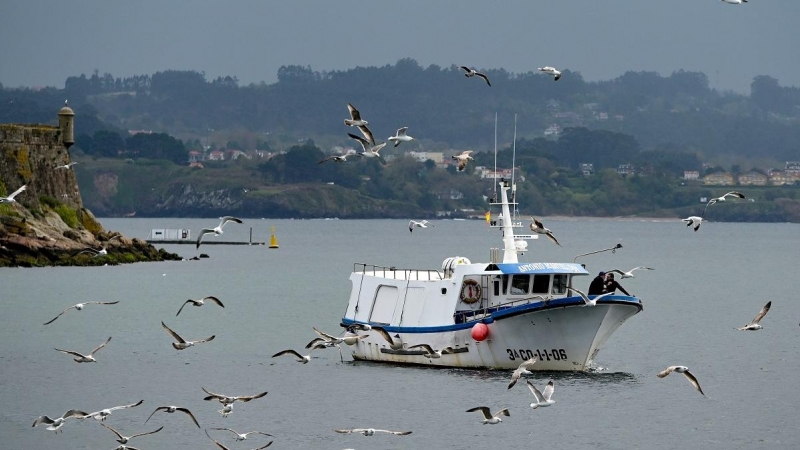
(563, 338)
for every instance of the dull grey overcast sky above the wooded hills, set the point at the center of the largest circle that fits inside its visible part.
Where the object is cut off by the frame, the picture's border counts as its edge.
(42, 42)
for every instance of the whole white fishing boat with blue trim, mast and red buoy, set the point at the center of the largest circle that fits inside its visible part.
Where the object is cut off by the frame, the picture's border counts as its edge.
(491, 315)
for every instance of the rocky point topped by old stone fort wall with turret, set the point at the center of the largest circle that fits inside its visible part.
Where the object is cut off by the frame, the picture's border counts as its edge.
(46, 224)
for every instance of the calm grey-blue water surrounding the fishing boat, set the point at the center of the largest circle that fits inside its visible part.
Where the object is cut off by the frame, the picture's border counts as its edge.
(704, 285)
